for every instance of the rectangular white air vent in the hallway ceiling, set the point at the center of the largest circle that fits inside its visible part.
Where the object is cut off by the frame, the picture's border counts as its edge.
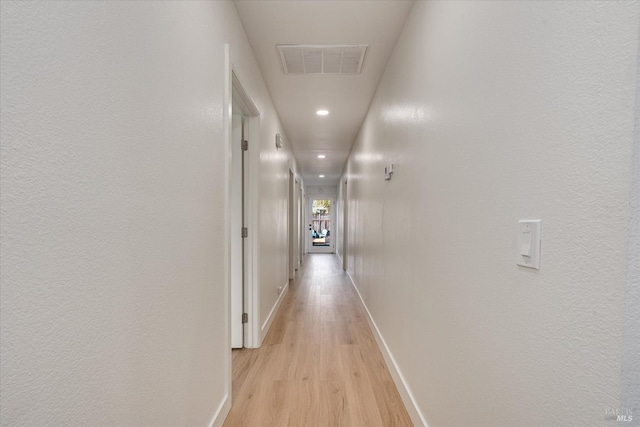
(322, 59)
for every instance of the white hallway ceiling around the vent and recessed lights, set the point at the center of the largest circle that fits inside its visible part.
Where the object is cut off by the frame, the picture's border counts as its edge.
(297, 97)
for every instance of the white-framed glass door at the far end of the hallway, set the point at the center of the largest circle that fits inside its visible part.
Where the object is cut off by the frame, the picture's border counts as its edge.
(320, 230)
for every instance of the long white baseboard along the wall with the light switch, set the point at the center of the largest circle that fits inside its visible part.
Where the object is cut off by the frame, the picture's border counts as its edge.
(403, 388)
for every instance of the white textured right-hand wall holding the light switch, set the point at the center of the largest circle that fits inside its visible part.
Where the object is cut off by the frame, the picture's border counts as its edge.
(493, 112)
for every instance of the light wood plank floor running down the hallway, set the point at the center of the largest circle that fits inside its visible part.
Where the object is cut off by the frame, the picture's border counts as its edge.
(319, 365)
